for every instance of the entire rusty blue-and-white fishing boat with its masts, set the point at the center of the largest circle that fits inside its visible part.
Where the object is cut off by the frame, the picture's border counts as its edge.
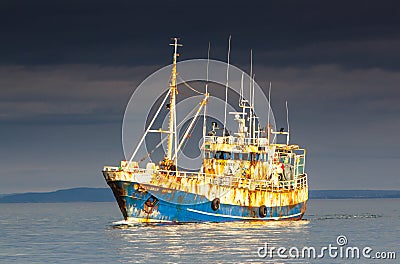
(244, 176)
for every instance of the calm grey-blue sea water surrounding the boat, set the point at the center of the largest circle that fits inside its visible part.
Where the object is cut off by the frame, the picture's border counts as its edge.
(89, 233)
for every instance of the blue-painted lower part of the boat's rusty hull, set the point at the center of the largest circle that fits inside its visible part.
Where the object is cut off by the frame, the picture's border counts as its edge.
(142, 203)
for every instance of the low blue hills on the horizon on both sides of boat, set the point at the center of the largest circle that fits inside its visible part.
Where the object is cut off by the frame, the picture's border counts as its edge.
(105, 195)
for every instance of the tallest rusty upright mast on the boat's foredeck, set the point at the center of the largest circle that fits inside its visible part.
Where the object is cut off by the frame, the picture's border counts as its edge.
(172, 100)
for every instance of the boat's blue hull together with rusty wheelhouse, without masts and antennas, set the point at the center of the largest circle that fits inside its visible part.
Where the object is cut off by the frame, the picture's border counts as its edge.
(157, 195)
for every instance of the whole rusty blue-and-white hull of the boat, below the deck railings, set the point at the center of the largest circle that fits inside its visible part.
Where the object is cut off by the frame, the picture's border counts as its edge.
(170, 202)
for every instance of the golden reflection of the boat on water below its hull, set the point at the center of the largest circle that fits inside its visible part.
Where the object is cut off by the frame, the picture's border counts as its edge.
(205, 242)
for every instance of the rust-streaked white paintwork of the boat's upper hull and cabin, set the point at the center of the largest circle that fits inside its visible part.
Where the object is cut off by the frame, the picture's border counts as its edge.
(237, 182)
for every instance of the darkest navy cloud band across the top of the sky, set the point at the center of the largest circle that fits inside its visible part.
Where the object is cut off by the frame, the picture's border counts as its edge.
(349, 33)
